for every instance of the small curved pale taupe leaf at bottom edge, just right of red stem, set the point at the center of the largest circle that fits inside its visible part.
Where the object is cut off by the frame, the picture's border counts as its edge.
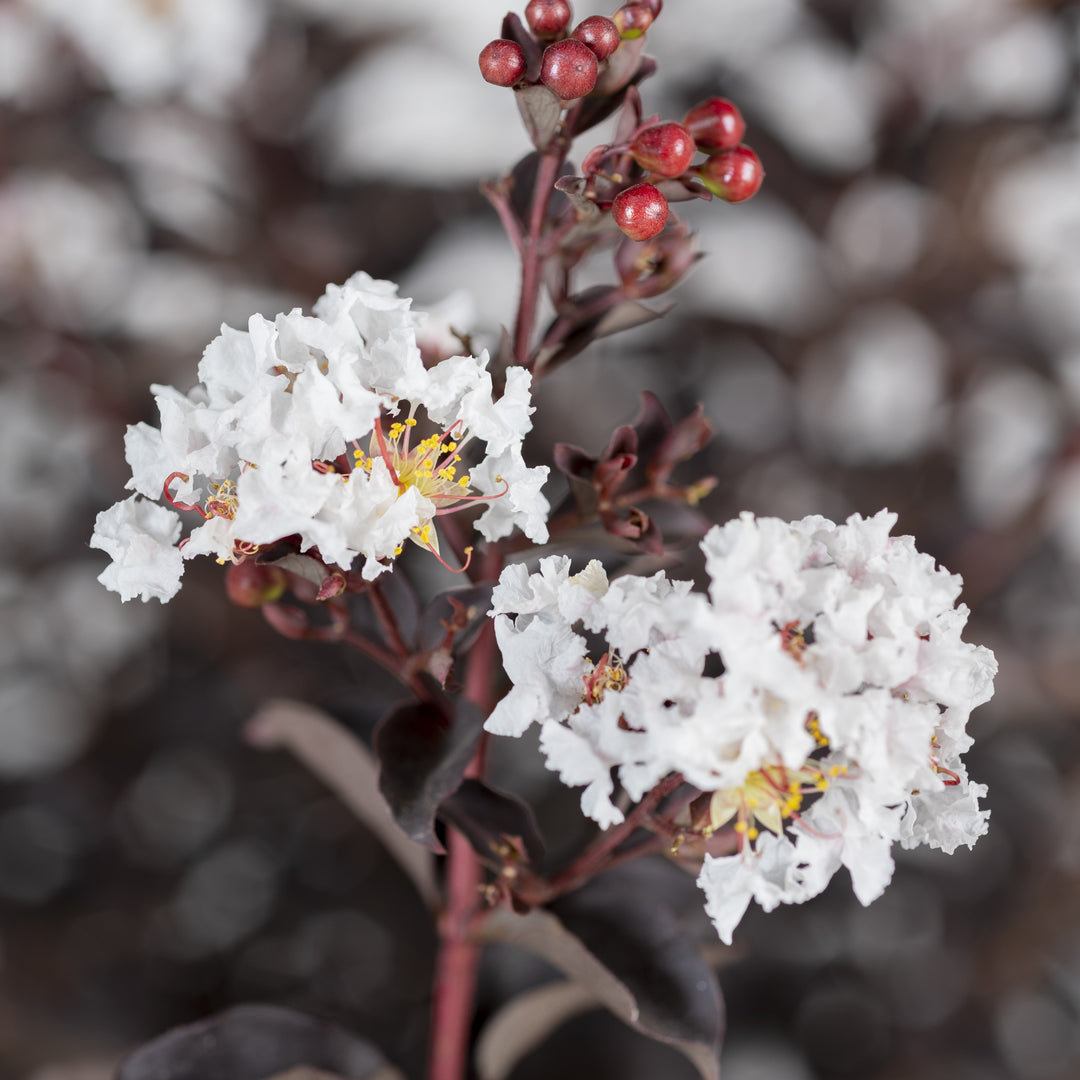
(523, 1024)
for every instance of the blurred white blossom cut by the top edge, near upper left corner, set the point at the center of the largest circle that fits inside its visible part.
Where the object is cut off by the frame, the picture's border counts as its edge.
(152, 49)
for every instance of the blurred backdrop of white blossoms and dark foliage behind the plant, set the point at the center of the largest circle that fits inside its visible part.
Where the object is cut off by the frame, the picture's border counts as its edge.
(895, 321)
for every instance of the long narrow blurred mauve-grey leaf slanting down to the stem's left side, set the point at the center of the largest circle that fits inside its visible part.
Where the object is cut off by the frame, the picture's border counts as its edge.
(342, 762)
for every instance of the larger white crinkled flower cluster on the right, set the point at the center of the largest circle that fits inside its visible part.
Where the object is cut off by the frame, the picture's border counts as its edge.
(832, 728)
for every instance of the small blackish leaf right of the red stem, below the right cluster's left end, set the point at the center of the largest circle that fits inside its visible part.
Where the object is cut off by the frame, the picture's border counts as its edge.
(490, 820)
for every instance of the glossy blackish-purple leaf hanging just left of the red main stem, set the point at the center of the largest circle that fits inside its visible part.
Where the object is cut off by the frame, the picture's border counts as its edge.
(424, 749)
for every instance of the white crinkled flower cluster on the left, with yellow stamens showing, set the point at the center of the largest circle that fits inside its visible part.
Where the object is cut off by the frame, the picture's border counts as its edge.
(268, 447)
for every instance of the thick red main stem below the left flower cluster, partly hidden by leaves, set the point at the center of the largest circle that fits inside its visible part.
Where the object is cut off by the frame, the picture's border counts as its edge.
(458, 958)
